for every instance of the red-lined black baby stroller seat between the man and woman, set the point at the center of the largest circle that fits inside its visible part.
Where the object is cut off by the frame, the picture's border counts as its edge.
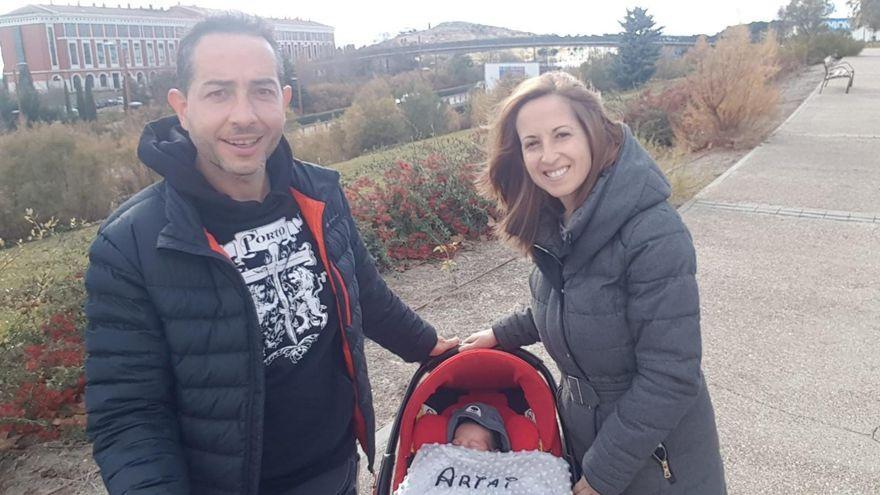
(516, 383)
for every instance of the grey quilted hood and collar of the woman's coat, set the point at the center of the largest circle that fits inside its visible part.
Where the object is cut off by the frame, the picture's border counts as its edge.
(634, 183)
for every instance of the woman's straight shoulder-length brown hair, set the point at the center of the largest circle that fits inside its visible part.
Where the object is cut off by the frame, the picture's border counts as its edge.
(506, 180)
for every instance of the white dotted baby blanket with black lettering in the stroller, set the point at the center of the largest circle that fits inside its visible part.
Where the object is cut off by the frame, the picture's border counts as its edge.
(451, 470)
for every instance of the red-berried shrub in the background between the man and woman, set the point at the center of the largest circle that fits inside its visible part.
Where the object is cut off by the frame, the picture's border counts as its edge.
(416, 207)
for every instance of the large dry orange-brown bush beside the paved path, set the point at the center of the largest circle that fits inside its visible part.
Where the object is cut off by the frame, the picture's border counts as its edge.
(729, 92)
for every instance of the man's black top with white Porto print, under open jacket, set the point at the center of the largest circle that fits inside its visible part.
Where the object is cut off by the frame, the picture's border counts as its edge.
(309, 405)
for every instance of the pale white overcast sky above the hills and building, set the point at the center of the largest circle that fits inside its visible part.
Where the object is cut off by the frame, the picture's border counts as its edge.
(363, 22)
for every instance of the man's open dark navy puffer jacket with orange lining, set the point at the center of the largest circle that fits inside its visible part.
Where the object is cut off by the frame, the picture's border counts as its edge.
(175, 379)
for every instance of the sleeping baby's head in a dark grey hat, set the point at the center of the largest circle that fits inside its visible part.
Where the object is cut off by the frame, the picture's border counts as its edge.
(478, 426)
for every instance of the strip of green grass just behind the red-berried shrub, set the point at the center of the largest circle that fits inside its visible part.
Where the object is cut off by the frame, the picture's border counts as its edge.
(460, 142)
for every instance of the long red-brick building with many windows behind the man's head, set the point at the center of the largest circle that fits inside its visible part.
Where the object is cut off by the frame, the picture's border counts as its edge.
(68, 42)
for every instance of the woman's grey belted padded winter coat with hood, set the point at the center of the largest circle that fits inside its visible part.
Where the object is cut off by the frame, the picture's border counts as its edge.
(615, 302)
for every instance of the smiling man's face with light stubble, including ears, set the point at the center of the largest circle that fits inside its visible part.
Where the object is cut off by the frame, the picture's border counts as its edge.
(234, 108)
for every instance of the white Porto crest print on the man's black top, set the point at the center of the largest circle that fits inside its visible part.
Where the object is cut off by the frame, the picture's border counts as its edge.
(281, 275)
